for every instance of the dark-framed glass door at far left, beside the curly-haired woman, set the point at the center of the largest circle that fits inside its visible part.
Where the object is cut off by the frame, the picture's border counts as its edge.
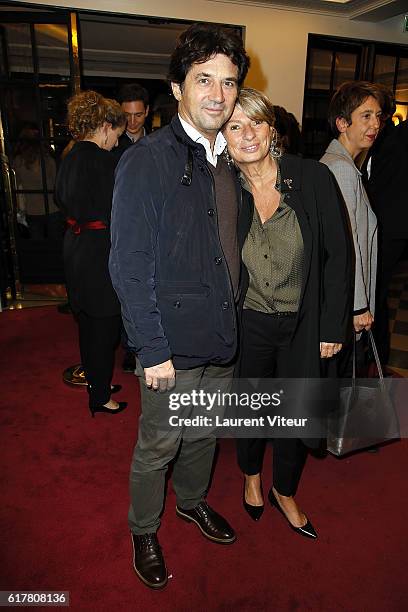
(37, 78)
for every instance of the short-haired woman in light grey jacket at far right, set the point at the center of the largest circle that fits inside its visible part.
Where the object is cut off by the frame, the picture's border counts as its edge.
(355, 117)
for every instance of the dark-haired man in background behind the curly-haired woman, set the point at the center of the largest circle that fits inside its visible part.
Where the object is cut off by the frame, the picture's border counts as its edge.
(134, 100)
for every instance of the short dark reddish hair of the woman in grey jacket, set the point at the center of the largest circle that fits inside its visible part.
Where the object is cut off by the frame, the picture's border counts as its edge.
(348, 97)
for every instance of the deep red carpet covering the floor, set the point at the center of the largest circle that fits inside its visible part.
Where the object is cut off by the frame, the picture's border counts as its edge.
(64, 506)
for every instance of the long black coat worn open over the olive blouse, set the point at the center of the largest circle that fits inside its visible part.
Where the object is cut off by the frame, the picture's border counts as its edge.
(326, 298)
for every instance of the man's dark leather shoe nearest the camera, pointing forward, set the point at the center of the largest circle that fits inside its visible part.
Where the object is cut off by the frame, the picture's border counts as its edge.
(148, 560)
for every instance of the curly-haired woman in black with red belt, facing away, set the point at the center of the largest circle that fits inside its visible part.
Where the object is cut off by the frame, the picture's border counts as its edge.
(84, 190)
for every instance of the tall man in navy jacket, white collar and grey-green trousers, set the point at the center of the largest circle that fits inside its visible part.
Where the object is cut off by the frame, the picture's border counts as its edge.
(176, 268)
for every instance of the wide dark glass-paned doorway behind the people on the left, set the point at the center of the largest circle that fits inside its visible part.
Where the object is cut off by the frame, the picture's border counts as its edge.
(46, 55)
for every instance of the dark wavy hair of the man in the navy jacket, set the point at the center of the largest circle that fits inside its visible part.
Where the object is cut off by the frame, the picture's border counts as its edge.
(200, 43)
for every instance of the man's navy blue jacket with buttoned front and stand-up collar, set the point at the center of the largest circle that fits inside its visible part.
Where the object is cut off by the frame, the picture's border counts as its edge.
(166, 263)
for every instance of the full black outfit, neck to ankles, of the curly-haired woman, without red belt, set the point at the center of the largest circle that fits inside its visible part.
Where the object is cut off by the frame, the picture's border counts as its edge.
(84, 188)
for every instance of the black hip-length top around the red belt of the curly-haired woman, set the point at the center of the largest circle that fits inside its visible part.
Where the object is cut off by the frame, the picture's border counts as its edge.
(84, 188)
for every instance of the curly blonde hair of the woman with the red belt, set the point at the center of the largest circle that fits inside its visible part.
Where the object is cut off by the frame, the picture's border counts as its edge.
(88, 111)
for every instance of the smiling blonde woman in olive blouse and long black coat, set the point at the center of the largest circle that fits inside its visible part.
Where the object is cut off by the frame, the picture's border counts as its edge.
(296, 305)
